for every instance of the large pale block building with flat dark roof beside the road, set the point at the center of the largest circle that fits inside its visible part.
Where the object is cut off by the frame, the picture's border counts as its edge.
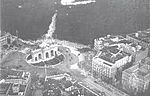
(108, 60)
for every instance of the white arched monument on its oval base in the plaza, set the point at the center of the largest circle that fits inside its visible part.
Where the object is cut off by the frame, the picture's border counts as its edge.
(48, 57)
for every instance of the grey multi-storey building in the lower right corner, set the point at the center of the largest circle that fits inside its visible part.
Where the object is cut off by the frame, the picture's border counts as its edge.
(136, 78)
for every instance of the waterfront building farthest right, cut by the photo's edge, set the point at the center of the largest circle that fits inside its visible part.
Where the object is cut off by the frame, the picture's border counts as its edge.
(140, 37)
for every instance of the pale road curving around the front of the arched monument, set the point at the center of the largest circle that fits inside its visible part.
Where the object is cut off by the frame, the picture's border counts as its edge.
(70, 59)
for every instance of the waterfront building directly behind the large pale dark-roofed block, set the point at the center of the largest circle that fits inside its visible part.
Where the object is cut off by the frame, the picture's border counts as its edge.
(137, 51)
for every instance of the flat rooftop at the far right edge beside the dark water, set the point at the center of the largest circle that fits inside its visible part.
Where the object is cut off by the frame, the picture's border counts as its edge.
(141, 36)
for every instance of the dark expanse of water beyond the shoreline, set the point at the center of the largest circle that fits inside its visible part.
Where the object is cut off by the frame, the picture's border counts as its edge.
(83, 22)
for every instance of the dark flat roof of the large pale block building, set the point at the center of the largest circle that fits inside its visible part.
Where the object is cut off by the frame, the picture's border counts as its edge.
(112, 54)
